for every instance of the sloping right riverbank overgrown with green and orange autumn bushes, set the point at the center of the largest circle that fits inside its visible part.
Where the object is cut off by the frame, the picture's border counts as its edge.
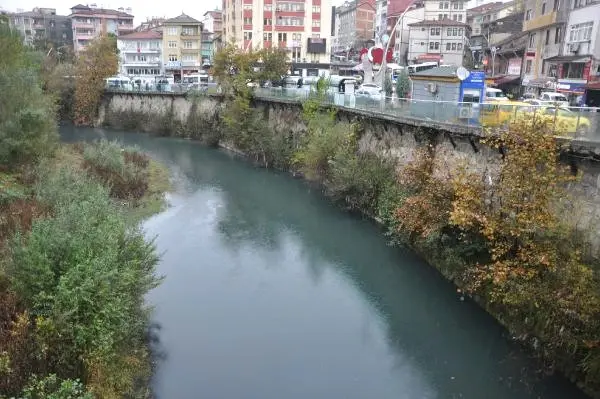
(543, 288)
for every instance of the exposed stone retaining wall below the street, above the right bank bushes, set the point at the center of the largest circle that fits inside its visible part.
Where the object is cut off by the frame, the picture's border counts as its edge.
(380, 135)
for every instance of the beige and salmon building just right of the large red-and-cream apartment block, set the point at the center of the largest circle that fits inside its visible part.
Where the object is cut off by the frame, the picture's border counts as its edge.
(356, 23)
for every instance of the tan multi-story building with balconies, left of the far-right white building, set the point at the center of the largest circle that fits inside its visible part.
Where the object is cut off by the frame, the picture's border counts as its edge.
(544, 22)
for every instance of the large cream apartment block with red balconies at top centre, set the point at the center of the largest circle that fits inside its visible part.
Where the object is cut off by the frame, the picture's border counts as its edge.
(301, 27)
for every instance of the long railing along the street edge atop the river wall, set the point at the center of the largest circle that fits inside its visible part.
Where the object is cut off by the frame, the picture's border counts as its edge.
(574, 122)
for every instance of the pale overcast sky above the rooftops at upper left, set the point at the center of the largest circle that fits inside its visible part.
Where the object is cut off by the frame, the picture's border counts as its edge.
(139, 8)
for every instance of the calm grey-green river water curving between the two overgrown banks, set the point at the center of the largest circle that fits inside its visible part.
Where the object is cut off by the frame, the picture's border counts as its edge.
(272, 292)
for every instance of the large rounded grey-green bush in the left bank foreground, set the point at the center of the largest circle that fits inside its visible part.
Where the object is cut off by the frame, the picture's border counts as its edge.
(83, 274)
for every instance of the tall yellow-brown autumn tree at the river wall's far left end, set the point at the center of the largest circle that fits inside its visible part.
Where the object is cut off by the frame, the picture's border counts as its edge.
(98, 62)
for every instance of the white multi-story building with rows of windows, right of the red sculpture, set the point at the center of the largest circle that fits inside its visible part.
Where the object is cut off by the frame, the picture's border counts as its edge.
(443, 34)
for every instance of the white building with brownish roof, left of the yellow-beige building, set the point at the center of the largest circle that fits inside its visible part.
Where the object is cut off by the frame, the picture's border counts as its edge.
(141, 54)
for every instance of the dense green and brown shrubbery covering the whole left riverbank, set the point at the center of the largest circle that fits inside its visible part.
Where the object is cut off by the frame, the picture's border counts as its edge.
(74, 266)
